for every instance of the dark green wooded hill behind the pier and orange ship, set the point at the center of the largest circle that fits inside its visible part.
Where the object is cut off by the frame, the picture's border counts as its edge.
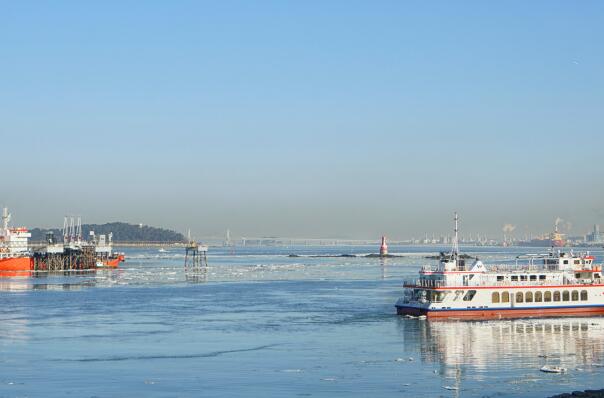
(122, 232)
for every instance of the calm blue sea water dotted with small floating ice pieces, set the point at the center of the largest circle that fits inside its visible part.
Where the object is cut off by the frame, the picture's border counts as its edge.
(261, 323)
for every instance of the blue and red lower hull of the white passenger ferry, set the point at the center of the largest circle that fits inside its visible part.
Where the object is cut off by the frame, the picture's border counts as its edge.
(503, 313)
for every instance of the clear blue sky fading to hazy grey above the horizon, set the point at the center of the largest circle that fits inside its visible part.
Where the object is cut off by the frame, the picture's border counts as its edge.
(347, 119)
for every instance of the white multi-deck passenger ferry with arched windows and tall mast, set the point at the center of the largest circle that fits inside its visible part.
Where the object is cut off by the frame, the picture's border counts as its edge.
(556, 284)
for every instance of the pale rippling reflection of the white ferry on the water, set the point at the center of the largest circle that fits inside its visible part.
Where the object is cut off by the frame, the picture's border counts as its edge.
(477, 349)
